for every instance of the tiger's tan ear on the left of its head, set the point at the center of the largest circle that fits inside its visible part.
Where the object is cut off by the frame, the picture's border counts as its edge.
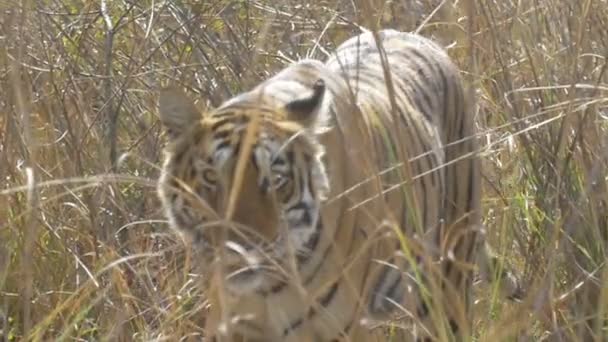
(177, 111)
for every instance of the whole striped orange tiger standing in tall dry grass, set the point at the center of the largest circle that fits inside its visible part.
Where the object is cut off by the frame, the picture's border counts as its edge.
(332, 196)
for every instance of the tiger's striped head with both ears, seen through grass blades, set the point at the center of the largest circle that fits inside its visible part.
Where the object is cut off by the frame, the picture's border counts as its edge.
(246, 178)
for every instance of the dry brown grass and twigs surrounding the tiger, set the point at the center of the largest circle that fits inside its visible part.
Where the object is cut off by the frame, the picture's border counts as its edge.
(85, 253)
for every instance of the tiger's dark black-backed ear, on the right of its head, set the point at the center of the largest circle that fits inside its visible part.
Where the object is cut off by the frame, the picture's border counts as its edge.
(306, 109)
